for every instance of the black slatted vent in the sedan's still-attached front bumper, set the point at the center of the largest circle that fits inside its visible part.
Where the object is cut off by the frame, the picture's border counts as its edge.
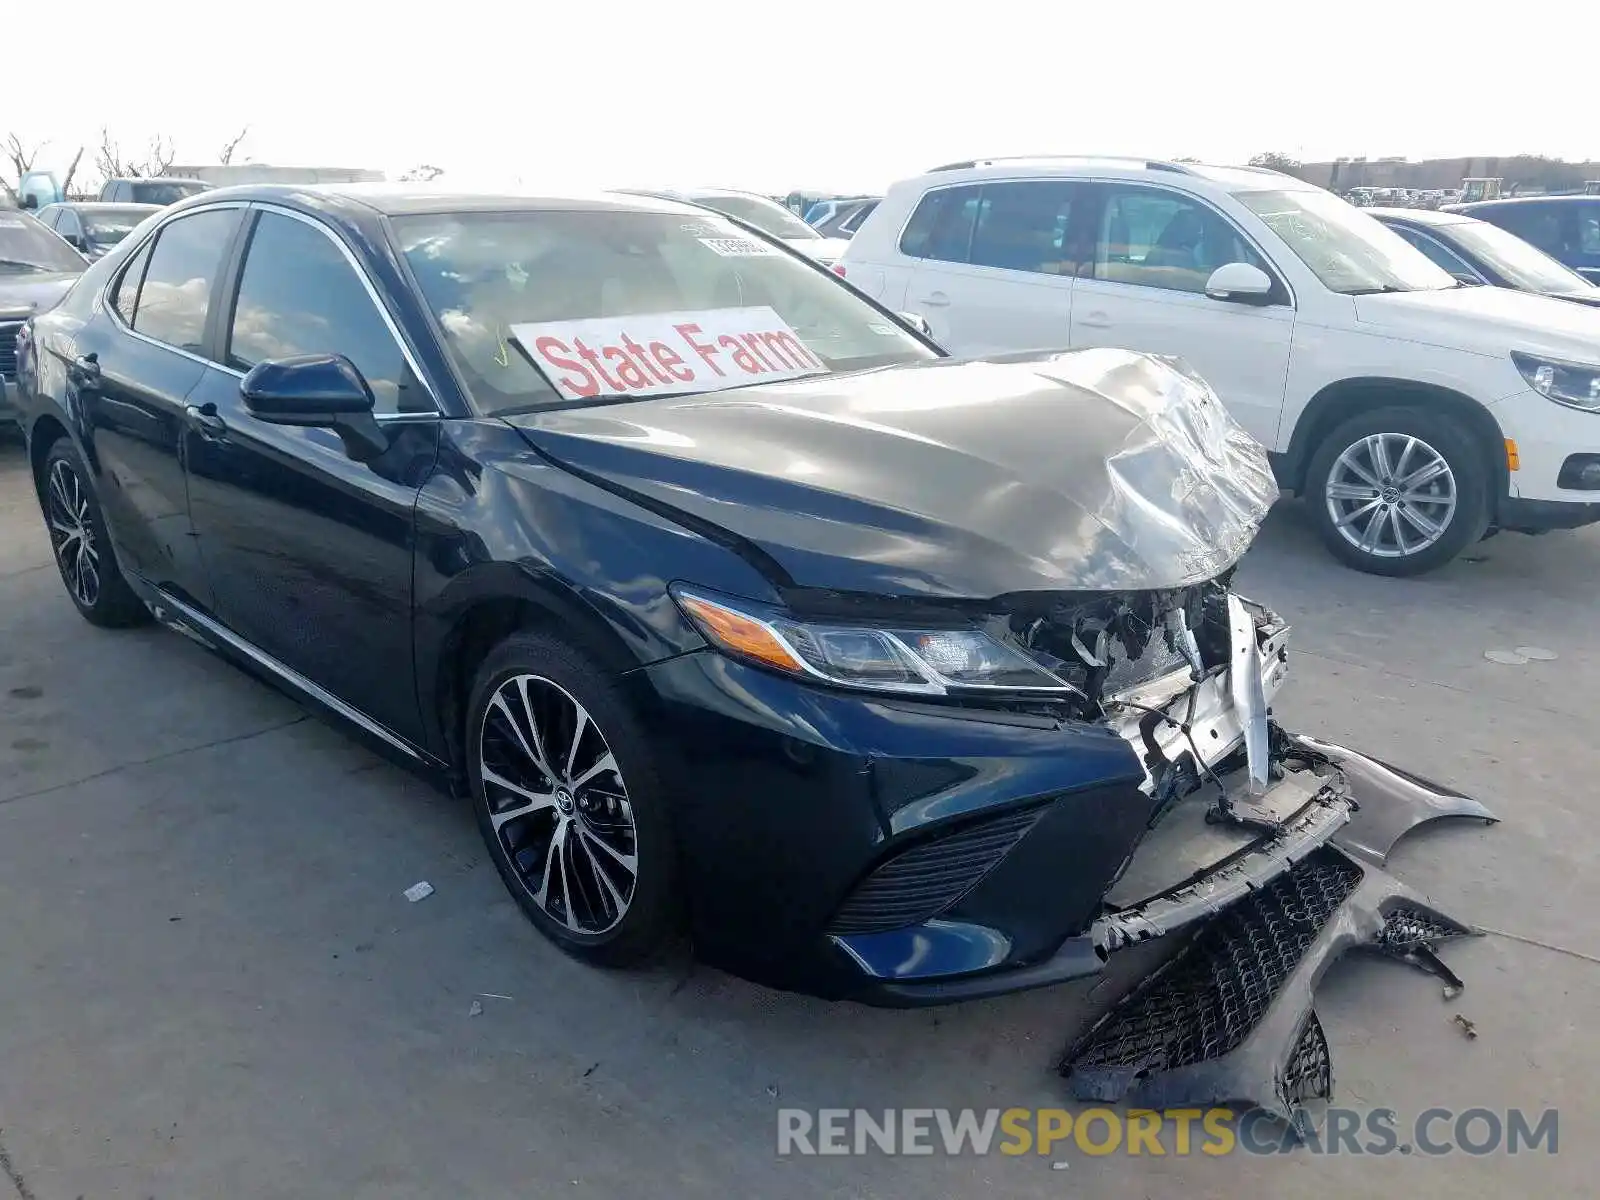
(924, 881)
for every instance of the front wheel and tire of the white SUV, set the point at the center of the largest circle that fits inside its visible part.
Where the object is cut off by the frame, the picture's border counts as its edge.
(1398, 492)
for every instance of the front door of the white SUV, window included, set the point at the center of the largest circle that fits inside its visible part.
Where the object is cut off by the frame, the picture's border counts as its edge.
(1145, 290)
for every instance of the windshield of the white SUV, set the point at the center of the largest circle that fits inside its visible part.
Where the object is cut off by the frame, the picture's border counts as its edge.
(1346, 249)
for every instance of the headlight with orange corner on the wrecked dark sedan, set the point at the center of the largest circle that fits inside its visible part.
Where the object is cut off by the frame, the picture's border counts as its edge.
(876, 658)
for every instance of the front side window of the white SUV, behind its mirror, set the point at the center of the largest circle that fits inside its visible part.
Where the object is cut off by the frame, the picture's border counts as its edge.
(1159, 239)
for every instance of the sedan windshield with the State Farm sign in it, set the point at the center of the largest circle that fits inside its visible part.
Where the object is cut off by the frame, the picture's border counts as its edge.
(639, 305)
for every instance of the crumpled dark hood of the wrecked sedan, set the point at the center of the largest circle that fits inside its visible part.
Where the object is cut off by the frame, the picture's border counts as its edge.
(1082, 471)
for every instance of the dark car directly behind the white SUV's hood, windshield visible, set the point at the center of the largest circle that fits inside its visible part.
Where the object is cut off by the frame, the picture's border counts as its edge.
(1478, 252)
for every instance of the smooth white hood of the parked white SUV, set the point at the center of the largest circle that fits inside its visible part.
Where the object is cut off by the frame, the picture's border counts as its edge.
(1487, 321)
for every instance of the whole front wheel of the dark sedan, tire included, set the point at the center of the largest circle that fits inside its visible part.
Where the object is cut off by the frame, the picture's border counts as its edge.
(570, 801)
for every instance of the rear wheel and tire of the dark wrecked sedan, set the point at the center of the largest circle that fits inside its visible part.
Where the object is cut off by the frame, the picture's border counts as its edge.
(84, 553)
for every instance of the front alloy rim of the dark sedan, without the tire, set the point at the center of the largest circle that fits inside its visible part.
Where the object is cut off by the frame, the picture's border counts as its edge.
(559, 806)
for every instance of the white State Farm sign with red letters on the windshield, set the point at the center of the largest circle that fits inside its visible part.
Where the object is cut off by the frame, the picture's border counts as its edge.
(666, 353)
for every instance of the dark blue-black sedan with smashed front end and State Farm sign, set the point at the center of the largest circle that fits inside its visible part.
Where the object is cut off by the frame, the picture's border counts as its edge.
(726, 598)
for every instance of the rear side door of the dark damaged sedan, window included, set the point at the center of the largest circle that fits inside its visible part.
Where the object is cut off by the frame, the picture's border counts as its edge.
(134, 372)
